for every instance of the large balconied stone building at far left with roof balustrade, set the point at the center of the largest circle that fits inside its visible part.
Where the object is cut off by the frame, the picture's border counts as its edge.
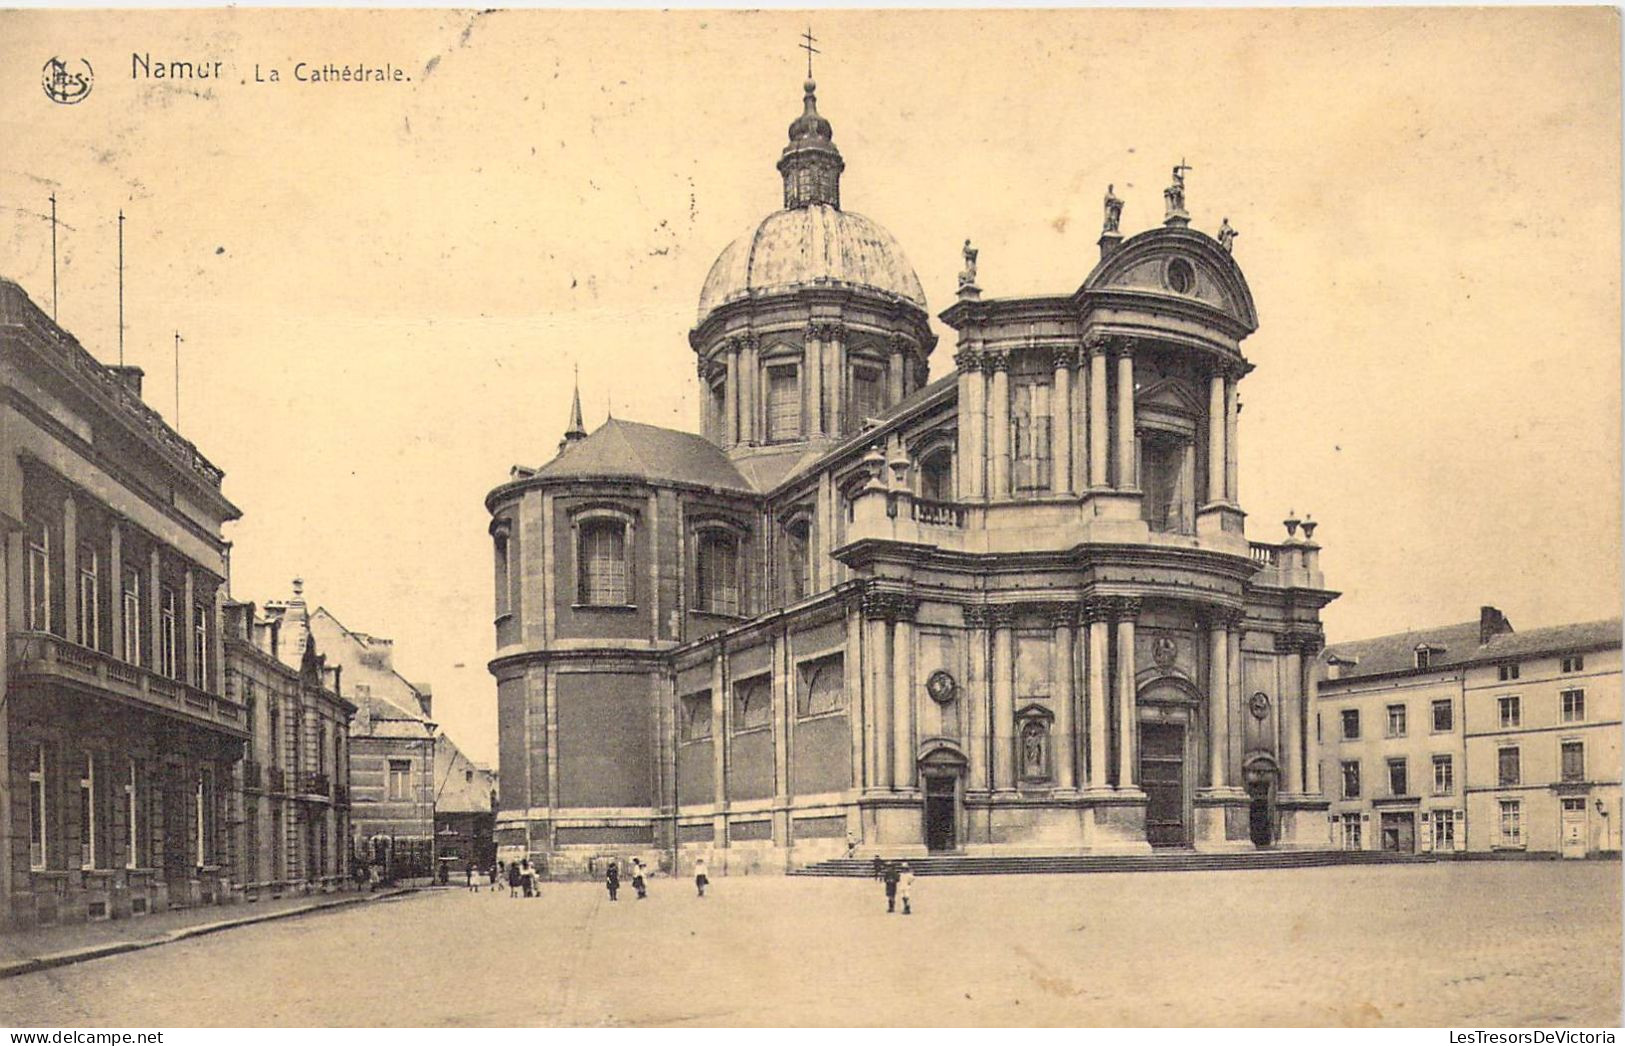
(118, 735)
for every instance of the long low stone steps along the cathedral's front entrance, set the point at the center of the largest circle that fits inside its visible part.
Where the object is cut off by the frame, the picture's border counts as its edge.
(1161, 862)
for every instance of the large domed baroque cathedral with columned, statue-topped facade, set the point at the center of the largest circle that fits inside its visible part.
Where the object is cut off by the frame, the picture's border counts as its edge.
(1008, 612)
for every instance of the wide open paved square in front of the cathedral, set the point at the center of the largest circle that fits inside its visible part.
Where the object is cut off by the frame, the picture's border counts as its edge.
(1462, 944)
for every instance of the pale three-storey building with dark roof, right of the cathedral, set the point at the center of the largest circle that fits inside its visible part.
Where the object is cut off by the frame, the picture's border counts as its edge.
(1475, 738)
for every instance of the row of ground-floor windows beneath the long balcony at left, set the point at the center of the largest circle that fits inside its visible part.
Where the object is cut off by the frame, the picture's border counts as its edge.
(106, 834)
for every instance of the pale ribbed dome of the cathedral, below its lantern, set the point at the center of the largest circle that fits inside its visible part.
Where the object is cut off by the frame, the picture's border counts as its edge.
(815, 246)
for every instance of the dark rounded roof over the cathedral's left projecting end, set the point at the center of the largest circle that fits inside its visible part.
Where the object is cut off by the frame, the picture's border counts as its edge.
(646, 452)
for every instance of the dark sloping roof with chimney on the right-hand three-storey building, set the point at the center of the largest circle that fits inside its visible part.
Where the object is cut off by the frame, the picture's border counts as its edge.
(1458, 646)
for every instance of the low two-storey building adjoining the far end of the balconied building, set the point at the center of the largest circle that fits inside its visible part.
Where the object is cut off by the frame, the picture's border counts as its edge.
(293, 826)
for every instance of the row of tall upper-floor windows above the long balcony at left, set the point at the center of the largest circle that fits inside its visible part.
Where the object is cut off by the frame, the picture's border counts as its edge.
(89, 631)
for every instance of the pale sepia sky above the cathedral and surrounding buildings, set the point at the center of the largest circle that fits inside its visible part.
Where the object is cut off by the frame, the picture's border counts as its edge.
(384, 288)
